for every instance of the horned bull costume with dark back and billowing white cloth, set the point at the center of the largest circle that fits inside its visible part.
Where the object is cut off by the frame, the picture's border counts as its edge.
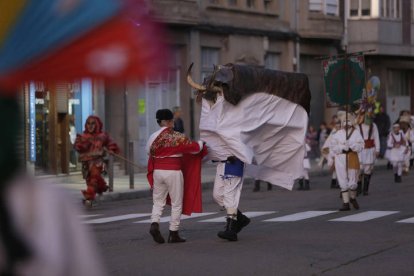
(258, 115)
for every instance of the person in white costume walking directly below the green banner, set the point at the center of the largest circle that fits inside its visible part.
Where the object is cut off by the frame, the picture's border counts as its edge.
(346, 144)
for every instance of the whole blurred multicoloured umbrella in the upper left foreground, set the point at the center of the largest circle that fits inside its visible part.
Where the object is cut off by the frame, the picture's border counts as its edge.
(52, 40)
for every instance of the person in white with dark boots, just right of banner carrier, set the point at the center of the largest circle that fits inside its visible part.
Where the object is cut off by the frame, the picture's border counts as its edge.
(369, 153)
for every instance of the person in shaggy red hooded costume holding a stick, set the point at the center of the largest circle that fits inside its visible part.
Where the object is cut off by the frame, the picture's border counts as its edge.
(92, 146)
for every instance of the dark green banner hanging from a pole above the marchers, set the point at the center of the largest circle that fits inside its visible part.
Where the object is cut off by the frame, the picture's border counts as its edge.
(344, 79)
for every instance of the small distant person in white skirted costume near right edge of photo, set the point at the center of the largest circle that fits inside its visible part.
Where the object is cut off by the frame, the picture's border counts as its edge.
(398, 148)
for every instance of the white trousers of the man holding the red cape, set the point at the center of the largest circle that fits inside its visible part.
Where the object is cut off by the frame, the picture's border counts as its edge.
(172, 183)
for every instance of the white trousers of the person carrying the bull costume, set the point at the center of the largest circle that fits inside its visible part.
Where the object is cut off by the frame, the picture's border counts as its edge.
(226, 191)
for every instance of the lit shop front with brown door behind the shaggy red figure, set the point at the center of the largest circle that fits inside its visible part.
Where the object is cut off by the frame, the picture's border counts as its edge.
(54, 114)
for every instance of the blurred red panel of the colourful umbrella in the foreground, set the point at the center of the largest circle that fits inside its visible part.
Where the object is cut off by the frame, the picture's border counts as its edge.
(119, 49)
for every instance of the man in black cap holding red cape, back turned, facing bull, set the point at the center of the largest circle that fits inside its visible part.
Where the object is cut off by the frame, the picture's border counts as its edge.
(174, 170)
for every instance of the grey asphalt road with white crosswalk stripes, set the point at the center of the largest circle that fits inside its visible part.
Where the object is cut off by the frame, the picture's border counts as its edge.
(291, 233)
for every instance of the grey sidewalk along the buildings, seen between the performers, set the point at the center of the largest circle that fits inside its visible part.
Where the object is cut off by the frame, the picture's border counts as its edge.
(75, 183)
